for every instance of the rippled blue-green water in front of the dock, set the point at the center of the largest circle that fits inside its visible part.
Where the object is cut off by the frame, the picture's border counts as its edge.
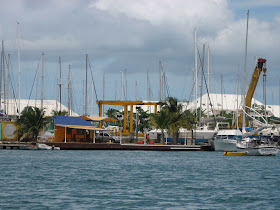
(137, 180)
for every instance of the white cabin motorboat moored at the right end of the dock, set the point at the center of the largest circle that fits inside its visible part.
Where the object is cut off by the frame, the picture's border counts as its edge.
(225, 140)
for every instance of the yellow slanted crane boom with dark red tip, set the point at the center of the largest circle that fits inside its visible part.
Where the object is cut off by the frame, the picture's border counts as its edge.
(253, 84)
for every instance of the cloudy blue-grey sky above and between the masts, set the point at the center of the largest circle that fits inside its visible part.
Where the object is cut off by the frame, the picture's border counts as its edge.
(133, 37)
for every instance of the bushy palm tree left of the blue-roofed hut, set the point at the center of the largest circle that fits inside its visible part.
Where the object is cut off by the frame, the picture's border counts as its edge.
(31, 121)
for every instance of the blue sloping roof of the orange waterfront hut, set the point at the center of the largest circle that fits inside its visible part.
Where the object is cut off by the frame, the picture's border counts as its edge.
(67, 120)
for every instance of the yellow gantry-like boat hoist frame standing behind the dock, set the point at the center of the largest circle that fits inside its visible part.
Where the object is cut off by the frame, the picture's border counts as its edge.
(125, 104)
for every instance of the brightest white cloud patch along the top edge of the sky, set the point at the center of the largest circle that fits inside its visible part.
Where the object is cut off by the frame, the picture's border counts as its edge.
(214, 12)
